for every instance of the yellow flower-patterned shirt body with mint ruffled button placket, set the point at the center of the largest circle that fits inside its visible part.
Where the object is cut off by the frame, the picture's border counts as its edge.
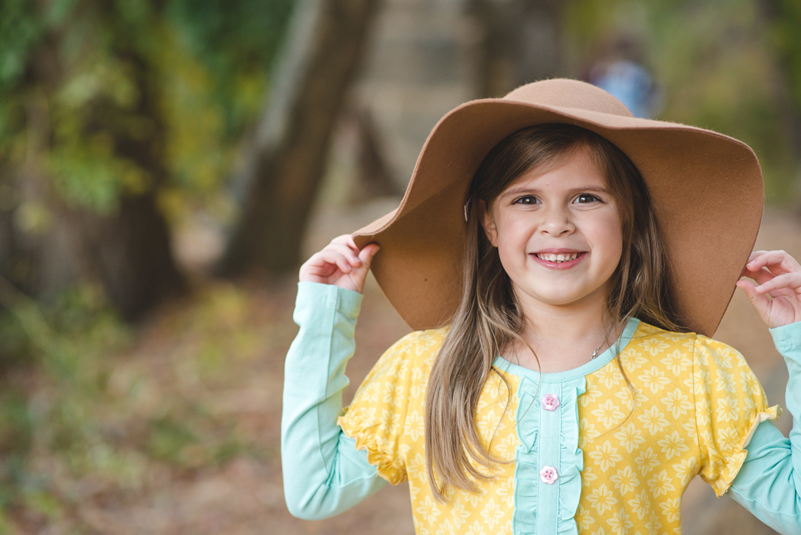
(585, 453)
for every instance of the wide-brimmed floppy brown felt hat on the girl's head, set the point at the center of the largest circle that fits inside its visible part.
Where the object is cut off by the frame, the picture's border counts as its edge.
(706, 190)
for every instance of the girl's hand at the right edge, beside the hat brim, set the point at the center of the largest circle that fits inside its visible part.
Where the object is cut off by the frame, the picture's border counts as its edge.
(777, 292)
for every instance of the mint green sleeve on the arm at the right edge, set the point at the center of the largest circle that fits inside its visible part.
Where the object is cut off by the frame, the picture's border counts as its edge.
(769, 482)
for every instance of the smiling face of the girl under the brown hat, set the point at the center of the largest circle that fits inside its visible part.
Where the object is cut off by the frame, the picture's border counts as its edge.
(558, 234)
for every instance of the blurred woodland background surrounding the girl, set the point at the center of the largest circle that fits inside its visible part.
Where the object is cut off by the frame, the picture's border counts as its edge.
(166, 165)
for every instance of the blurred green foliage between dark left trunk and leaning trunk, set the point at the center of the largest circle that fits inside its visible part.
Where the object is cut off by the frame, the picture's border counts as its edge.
(216, 69)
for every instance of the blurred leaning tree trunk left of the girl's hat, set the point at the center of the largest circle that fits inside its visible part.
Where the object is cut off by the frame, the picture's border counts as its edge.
(284, 168)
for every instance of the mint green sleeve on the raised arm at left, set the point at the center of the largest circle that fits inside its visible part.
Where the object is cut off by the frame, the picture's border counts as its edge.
(324, 473)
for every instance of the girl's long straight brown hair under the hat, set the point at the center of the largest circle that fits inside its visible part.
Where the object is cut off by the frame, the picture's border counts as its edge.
(489, 318)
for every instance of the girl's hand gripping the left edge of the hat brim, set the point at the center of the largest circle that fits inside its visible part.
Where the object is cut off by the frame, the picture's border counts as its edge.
(340, 263)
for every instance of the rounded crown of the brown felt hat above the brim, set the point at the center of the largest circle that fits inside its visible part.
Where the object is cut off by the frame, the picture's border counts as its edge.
(561, 93)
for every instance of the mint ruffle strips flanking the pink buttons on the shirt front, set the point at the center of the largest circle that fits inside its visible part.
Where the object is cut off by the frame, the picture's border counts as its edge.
(527, 471)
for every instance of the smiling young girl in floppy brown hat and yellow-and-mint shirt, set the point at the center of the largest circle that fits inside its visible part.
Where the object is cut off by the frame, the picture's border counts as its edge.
(561, 263)
